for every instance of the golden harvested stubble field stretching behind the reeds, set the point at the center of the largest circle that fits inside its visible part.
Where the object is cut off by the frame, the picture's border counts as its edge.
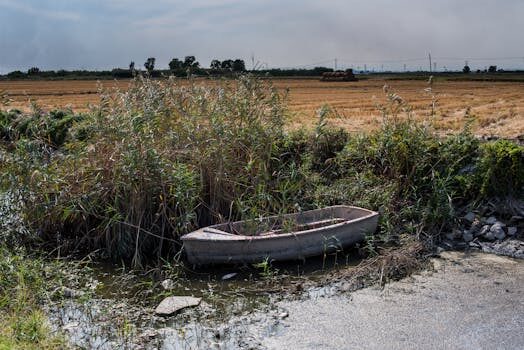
(498, 107)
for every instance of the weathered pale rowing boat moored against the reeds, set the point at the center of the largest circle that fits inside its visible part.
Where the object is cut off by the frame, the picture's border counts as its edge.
(284, 237)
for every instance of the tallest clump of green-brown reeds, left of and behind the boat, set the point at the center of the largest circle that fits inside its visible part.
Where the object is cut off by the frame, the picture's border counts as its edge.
(154, 162)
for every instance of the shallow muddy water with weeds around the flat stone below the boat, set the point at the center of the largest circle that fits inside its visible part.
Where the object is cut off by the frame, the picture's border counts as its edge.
(118, 312)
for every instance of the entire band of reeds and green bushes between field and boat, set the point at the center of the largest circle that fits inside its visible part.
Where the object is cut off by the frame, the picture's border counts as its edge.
(160, 160)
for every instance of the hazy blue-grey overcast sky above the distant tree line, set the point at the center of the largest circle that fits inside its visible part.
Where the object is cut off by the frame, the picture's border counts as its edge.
(103, 34)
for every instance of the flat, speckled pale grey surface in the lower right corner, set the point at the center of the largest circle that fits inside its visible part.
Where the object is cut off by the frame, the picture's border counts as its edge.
(469, 302)
